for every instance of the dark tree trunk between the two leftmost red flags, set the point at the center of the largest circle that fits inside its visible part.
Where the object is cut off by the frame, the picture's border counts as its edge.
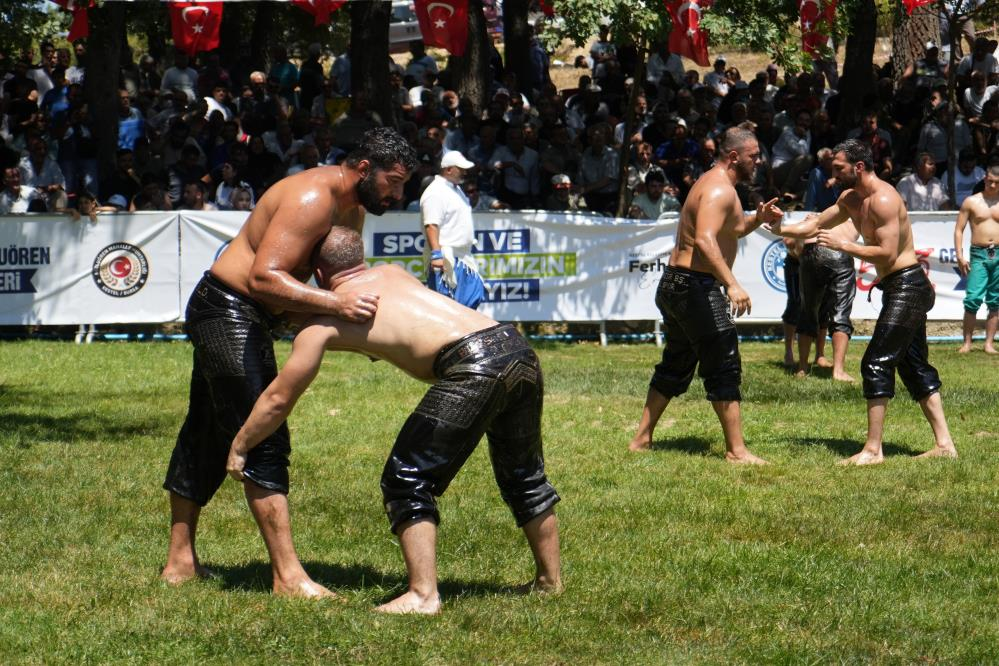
(100, 87)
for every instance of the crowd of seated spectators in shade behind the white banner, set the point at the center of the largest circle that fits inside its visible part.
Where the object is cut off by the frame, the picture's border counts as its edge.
(201, 134)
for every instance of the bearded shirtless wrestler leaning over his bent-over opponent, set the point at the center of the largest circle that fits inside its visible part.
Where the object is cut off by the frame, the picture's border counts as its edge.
(231, 318)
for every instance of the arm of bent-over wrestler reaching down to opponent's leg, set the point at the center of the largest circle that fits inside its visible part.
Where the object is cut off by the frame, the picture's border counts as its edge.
(278, 399)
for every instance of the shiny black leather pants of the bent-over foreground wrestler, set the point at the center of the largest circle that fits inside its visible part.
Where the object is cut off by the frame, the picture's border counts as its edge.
(489, 382)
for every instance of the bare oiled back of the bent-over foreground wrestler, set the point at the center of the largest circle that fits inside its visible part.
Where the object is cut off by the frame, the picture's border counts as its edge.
(411, 325)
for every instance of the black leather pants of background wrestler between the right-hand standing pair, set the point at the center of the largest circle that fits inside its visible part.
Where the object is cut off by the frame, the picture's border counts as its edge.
(828, 287)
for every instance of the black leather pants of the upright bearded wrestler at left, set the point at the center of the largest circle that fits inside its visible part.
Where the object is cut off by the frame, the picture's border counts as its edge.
(233, 364)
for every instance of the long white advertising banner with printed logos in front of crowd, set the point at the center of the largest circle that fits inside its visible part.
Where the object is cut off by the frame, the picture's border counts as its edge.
(538, 266)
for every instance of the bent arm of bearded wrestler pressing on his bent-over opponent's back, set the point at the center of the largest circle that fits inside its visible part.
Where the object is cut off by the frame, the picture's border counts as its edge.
(294, 230)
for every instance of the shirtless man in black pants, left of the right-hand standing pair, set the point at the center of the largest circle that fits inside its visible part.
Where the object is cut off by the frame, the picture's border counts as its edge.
(699, 318)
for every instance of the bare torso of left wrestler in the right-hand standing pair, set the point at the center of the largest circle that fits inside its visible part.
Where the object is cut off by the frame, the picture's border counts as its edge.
(714, 190)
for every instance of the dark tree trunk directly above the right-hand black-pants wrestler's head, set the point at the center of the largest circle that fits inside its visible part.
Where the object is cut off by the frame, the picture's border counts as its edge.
(857, 81)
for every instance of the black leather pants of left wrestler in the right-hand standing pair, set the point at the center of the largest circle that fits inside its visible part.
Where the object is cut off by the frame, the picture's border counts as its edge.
(700, 334)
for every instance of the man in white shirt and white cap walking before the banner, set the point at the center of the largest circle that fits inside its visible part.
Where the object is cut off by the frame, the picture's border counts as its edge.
(447, 224)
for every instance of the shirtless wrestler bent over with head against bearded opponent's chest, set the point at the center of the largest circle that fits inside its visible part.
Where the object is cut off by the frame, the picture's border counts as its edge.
(485, 379)
